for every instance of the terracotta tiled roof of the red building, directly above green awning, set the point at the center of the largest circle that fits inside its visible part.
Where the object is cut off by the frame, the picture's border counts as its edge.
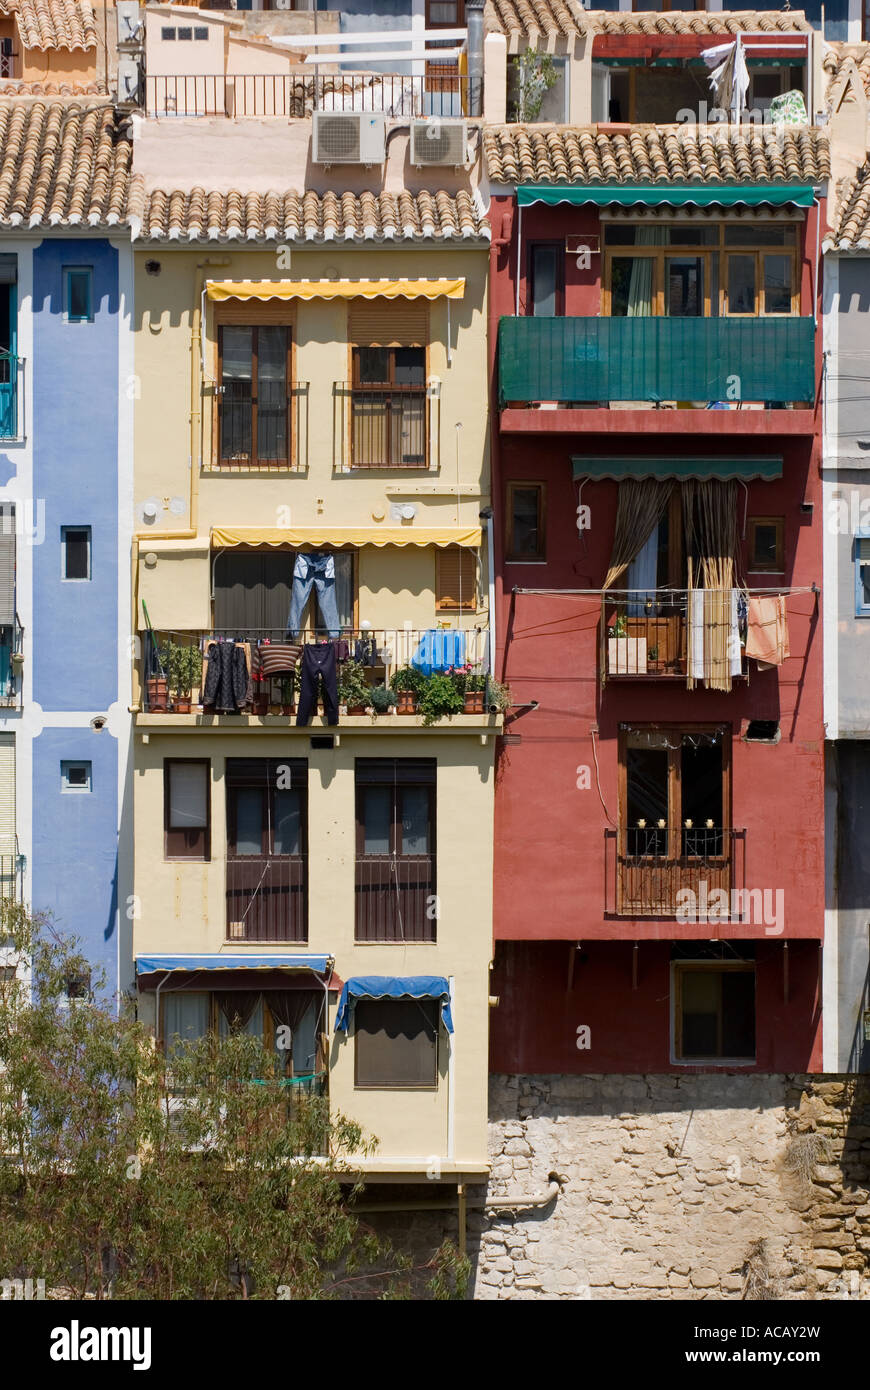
(655, 154)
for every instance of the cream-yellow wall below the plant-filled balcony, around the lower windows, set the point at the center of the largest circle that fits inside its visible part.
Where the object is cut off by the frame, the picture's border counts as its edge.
(183, 910)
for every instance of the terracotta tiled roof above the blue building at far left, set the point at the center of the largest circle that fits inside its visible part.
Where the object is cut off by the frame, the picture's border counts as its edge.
(63, 165)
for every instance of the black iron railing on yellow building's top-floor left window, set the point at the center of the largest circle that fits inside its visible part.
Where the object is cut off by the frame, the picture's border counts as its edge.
(265, 432)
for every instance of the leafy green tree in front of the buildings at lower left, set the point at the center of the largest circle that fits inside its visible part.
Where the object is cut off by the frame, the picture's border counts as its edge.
(127, 1174)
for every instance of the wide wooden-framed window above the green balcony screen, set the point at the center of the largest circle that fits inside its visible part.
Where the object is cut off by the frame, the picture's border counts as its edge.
(703, 270)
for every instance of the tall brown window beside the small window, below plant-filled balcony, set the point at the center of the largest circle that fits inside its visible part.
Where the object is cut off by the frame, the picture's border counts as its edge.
(266, 850)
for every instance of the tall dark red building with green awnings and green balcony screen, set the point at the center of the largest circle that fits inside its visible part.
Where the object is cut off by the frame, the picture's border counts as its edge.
(659, 810)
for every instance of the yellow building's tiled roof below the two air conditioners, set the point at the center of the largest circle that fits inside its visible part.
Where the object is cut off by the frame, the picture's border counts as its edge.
(306, 218)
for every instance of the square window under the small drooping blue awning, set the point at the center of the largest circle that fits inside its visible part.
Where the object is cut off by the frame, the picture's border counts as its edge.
(397, 1043)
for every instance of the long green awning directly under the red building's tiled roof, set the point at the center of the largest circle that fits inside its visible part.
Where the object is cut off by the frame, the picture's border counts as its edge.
(669, 195)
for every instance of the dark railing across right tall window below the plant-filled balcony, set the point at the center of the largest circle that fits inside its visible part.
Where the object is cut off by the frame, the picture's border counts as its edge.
(395, 899)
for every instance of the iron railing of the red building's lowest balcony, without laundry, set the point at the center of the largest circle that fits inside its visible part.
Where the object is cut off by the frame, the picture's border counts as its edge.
(648, 872)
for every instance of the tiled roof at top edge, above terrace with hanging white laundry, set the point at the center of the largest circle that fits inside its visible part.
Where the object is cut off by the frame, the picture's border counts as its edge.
(532, 20)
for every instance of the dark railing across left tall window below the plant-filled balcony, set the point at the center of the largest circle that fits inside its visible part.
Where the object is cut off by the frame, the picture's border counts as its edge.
(268, 899)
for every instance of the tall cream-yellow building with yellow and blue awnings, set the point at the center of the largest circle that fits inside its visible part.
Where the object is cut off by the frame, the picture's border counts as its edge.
(312, 455)
